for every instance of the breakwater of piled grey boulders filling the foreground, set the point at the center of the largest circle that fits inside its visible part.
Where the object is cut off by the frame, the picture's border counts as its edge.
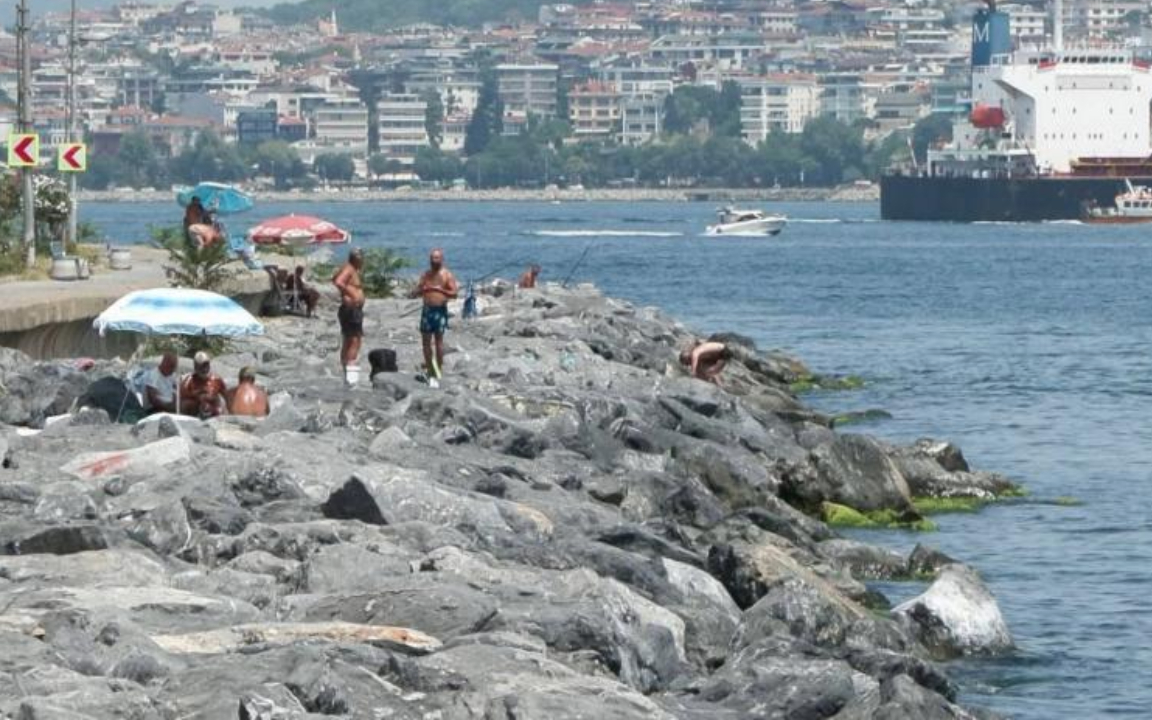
(570, 528)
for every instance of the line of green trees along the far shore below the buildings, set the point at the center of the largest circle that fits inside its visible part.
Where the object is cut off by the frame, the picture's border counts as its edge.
(701, 147)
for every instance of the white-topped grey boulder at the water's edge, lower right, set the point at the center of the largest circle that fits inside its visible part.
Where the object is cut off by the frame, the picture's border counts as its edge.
(957, 616)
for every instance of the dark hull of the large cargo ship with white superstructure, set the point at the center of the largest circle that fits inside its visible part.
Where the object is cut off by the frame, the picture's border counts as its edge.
(1004, 200)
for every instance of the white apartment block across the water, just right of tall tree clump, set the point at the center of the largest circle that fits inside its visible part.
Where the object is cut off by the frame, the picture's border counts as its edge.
(777, 104)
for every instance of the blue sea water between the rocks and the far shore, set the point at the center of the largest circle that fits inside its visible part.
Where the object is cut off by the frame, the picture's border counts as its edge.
(1028, 345)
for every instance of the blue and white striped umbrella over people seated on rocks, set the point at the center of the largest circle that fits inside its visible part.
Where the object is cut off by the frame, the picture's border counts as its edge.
(178, 312)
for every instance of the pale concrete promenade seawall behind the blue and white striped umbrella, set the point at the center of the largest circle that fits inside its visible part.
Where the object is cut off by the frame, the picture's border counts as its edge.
(49, 319)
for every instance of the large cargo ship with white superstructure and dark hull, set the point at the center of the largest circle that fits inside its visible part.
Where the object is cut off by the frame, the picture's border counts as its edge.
(1050, 133)
